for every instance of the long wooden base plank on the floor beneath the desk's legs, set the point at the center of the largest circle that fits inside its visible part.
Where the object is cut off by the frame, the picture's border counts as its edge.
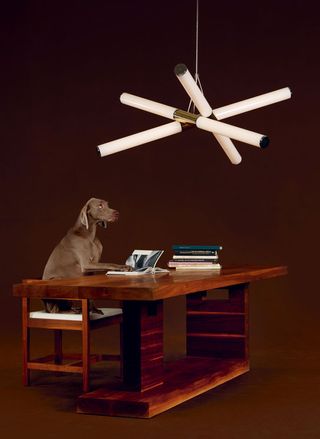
(183, 380)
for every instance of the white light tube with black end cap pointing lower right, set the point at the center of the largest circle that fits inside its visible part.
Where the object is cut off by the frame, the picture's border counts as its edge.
(236, 133)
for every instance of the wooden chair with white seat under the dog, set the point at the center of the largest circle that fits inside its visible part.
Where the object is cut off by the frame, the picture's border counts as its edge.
(59, 362)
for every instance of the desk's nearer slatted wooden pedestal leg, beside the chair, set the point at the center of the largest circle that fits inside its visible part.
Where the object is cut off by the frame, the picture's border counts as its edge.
(142, 336)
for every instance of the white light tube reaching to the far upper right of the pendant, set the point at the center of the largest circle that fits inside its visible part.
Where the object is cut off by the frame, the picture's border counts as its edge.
(252, 103)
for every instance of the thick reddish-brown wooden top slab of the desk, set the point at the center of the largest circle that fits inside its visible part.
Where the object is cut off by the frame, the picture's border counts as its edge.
(146, 287)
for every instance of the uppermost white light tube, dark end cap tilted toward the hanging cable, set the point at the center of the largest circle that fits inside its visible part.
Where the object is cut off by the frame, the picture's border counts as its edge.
(191, 87)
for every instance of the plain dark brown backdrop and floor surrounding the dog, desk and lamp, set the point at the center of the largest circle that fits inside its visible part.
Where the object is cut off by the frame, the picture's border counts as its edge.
(64, 68)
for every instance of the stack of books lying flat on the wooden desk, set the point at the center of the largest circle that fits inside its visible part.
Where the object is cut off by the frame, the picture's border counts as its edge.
(195, 257)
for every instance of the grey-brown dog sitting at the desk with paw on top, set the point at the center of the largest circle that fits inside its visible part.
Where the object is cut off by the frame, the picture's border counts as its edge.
(79, 252)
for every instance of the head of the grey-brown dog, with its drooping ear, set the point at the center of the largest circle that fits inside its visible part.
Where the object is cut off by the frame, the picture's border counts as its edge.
(99, 212)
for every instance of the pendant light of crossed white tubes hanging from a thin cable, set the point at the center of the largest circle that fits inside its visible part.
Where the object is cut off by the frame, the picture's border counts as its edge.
(207, 119)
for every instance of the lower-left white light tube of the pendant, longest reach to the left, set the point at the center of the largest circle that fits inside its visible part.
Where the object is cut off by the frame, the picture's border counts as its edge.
(139, 138)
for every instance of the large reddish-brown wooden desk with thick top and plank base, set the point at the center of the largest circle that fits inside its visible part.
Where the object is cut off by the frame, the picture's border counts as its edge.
(217, 334)
